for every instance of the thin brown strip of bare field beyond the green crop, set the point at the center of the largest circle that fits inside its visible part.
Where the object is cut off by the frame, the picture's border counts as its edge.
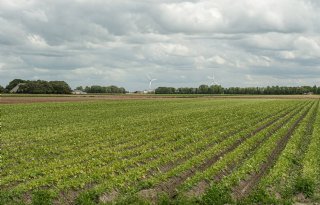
(12, 99)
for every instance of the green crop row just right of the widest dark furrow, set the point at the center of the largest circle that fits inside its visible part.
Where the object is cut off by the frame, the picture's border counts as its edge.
(284, 175)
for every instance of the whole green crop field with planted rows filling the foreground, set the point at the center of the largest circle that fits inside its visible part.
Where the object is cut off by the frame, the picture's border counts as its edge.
(161, 151)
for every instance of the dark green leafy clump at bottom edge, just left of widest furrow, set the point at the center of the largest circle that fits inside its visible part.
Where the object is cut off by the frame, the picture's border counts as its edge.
(217, 195)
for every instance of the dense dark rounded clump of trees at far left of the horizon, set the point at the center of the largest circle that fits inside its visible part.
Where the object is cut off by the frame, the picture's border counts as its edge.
(40, 87)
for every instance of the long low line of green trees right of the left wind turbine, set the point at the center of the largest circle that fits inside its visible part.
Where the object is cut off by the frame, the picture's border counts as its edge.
(217, 89)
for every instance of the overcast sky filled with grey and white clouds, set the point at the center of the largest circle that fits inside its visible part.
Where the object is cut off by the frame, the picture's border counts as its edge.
(104, 42)
